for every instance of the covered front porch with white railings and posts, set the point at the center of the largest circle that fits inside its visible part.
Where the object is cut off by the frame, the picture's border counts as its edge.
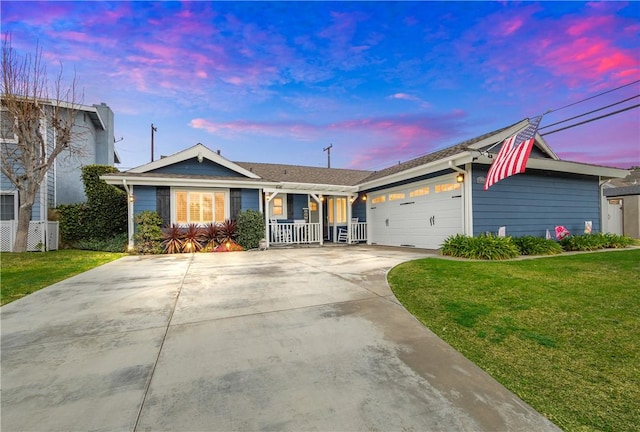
(295, 216)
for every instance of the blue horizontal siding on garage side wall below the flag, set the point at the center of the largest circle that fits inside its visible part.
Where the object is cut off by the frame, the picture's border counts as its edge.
(531, 203)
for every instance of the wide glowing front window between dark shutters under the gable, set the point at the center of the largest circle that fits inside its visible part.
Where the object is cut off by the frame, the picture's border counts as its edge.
(200, 207)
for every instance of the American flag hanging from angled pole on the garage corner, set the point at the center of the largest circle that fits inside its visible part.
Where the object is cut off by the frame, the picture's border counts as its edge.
(513, 155)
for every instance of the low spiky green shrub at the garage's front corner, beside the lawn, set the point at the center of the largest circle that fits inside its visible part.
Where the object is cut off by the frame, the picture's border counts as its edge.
(487, 247)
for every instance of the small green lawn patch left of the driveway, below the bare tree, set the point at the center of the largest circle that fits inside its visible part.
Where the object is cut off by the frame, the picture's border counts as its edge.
(23, 273)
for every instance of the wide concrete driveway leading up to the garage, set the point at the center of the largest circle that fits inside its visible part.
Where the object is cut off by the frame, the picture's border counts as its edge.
(297, 339)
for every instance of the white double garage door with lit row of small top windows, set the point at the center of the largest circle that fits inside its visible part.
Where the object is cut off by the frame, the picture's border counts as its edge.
(418, 215)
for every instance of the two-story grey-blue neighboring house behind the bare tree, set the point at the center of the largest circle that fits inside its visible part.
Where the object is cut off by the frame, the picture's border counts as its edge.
(94, 136)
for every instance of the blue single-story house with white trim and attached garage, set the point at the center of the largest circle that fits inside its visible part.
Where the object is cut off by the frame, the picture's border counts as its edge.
(418, 203)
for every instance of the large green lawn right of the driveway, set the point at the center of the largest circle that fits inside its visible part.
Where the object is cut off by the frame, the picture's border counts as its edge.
(563, 333)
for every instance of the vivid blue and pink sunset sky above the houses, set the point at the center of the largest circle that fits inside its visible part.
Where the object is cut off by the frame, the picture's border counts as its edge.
(382, 82)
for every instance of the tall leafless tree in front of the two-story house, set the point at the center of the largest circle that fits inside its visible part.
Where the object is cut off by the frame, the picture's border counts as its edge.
(43, 126)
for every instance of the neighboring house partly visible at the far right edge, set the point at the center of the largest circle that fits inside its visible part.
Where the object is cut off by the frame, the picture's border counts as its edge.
(622, 205)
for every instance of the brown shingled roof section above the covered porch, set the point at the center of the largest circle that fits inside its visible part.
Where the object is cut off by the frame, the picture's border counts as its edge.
(305, 174)
